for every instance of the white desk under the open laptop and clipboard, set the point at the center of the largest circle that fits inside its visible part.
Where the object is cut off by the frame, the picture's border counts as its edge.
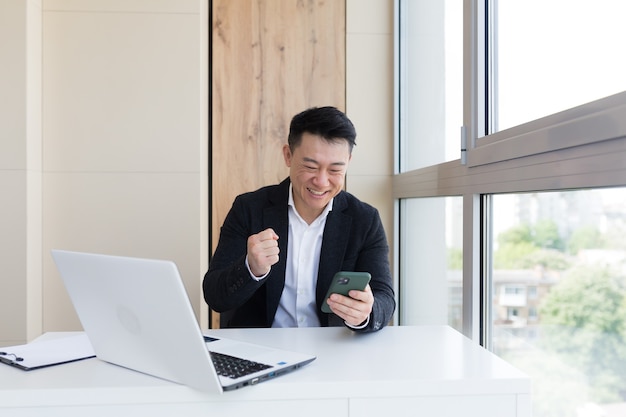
(399, 371)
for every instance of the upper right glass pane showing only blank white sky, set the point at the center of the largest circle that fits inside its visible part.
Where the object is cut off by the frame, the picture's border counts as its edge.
(552, 55)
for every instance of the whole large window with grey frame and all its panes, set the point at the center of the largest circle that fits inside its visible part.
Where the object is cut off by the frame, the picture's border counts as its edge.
(545, 168)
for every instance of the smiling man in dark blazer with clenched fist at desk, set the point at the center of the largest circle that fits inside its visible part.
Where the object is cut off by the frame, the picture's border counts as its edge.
(281, 245)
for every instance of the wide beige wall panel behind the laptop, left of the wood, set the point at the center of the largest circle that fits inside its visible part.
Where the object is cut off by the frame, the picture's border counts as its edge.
(124, 144)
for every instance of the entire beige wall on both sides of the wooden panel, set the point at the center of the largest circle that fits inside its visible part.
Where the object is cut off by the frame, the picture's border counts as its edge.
(116, 159)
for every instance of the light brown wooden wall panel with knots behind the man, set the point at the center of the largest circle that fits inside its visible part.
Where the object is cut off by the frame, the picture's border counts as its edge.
(270, 60)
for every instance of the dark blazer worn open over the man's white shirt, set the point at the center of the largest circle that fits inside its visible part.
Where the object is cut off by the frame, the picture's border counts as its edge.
(354, 240)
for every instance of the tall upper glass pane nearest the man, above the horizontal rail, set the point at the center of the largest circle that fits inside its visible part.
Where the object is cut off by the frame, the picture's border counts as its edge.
(431, 60)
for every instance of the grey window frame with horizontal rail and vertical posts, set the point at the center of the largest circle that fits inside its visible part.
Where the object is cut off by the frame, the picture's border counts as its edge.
(582, 147)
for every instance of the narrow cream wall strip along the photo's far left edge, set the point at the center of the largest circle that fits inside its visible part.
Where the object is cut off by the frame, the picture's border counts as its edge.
(20, 171)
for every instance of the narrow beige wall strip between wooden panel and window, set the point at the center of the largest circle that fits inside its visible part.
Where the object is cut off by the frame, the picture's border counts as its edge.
(369, 103)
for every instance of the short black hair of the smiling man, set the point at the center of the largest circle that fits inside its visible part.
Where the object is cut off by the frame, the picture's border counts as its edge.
(327, 122)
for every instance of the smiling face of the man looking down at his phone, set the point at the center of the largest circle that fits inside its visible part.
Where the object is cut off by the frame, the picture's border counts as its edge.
(317, 169)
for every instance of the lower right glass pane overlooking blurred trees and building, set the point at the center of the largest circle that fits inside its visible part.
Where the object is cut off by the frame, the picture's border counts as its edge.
(559, 297)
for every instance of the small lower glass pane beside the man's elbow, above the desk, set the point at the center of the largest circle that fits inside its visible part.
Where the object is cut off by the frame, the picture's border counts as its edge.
(431, 261)
